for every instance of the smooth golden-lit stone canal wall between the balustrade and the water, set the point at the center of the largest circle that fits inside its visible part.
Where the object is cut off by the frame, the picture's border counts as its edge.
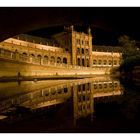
(12, 68)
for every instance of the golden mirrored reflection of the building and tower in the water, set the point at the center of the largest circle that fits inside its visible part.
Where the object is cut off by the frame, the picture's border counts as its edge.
(80, 93)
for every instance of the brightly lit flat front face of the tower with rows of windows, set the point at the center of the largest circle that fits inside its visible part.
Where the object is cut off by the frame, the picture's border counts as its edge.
(82, 48)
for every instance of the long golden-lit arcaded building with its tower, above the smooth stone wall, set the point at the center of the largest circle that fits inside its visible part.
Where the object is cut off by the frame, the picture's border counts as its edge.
(69, 48)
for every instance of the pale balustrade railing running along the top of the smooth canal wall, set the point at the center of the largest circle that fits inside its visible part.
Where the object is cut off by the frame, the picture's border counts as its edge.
(6, 54)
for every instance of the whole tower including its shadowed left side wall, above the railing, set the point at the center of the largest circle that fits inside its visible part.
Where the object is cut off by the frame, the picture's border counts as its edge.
(78, 44)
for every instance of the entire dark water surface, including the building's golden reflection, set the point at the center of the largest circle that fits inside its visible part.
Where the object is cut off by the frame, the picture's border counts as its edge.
(99, 104)
